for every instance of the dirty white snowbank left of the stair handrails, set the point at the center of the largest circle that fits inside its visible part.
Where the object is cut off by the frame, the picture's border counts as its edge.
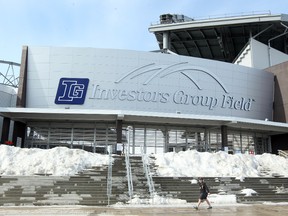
(59, 161)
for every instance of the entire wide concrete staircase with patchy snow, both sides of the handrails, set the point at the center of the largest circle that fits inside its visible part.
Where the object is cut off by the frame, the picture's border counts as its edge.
(89, 187)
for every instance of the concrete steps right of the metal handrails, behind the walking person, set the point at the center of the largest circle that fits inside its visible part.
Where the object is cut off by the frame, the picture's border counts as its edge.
(268, 188)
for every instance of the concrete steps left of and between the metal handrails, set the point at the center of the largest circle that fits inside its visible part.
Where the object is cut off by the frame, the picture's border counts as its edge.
(87, 188)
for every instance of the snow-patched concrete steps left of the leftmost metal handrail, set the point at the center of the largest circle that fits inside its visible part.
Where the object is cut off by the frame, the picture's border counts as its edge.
(53, 190)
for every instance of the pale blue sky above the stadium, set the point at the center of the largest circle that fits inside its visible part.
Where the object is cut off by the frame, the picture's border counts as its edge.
(120, 24)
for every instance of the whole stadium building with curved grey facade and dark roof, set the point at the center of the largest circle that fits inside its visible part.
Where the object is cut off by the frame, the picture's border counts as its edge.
(214, 84)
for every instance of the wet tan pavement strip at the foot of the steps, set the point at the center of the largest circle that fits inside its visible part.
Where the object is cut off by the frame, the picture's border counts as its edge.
(238, 210)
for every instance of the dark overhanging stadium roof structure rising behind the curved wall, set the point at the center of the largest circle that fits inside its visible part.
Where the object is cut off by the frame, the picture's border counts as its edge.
(220, 38)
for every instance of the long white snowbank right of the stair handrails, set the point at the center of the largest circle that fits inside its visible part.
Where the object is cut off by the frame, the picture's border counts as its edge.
(192, 164)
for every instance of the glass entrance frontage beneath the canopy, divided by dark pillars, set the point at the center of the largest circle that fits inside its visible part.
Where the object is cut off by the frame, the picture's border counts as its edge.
(96, 137)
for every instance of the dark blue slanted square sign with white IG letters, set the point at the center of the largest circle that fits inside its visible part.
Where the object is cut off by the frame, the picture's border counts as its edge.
(71, 91)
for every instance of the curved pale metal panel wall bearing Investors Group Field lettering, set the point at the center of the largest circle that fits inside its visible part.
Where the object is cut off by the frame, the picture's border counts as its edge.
(149, 82)
